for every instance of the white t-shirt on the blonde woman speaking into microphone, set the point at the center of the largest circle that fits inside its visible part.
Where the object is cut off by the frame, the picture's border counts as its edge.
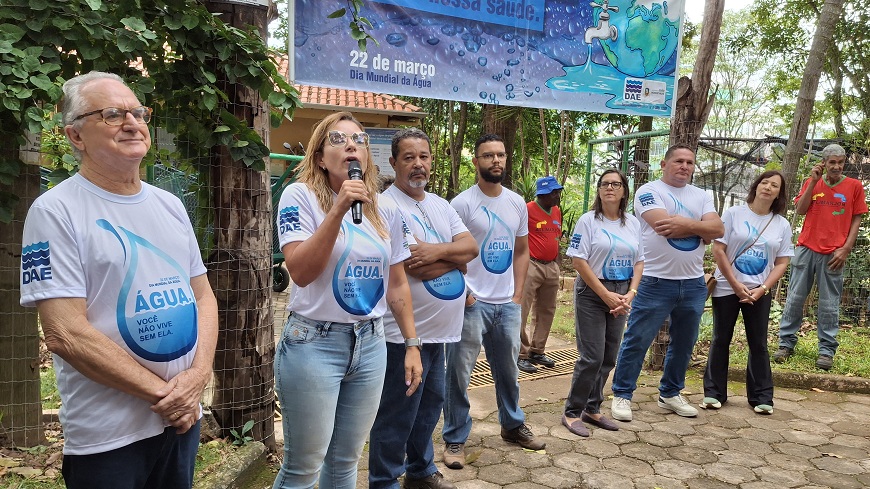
(353, 285)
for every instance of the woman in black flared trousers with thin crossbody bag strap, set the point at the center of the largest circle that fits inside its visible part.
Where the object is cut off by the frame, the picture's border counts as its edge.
(750, 258)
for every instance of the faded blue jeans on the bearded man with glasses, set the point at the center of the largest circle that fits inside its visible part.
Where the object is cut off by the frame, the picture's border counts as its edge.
(497, 328)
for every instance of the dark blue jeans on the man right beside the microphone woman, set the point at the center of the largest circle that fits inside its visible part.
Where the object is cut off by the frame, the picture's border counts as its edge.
(404, 425)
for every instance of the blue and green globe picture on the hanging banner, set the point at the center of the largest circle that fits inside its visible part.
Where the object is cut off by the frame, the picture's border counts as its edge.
(646, 40)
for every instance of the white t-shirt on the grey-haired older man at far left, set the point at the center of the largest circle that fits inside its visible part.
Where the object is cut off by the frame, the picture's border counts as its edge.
(131, 257)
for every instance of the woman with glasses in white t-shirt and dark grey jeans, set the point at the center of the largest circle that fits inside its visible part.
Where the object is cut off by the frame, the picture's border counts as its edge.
(607, 252)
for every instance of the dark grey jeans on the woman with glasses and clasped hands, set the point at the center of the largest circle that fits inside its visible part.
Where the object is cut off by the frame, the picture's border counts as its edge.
(598, 334)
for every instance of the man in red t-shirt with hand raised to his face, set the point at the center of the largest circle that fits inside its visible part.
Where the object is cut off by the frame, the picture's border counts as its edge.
(833, 207)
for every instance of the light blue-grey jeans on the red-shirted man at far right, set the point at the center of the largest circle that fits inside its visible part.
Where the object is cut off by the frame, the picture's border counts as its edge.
(807, 267)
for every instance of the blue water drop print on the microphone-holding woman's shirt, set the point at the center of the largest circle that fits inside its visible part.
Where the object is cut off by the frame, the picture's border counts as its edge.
(358, 283)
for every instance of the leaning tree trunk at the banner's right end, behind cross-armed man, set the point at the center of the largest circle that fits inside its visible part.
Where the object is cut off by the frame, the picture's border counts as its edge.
(693, 105)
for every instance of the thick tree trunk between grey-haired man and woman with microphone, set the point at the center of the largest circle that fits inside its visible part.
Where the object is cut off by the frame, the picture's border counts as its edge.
(240, 266)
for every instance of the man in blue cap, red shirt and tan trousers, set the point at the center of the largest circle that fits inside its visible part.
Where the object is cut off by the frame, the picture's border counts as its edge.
(542, 279)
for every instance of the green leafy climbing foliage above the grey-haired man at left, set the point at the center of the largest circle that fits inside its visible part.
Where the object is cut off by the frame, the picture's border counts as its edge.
(178, 58)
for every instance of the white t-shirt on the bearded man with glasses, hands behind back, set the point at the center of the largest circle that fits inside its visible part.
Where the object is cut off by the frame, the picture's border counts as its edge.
(495, 222)
